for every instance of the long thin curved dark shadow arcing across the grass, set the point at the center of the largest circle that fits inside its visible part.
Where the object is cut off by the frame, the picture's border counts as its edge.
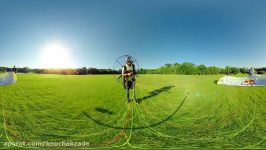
(143, 127)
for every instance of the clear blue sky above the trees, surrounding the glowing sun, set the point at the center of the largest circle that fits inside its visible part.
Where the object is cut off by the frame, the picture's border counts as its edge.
(155, 32)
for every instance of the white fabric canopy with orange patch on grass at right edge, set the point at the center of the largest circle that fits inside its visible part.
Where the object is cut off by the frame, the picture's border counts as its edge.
(255, 80)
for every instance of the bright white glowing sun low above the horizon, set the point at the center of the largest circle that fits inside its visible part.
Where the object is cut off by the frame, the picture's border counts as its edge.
(55, 55)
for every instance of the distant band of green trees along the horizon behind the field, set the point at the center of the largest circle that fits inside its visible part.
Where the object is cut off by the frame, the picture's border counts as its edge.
(185, 68)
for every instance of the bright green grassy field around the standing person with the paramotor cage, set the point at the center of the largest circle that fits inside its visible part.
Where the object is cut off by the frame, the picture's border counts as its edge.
(174, 111)
